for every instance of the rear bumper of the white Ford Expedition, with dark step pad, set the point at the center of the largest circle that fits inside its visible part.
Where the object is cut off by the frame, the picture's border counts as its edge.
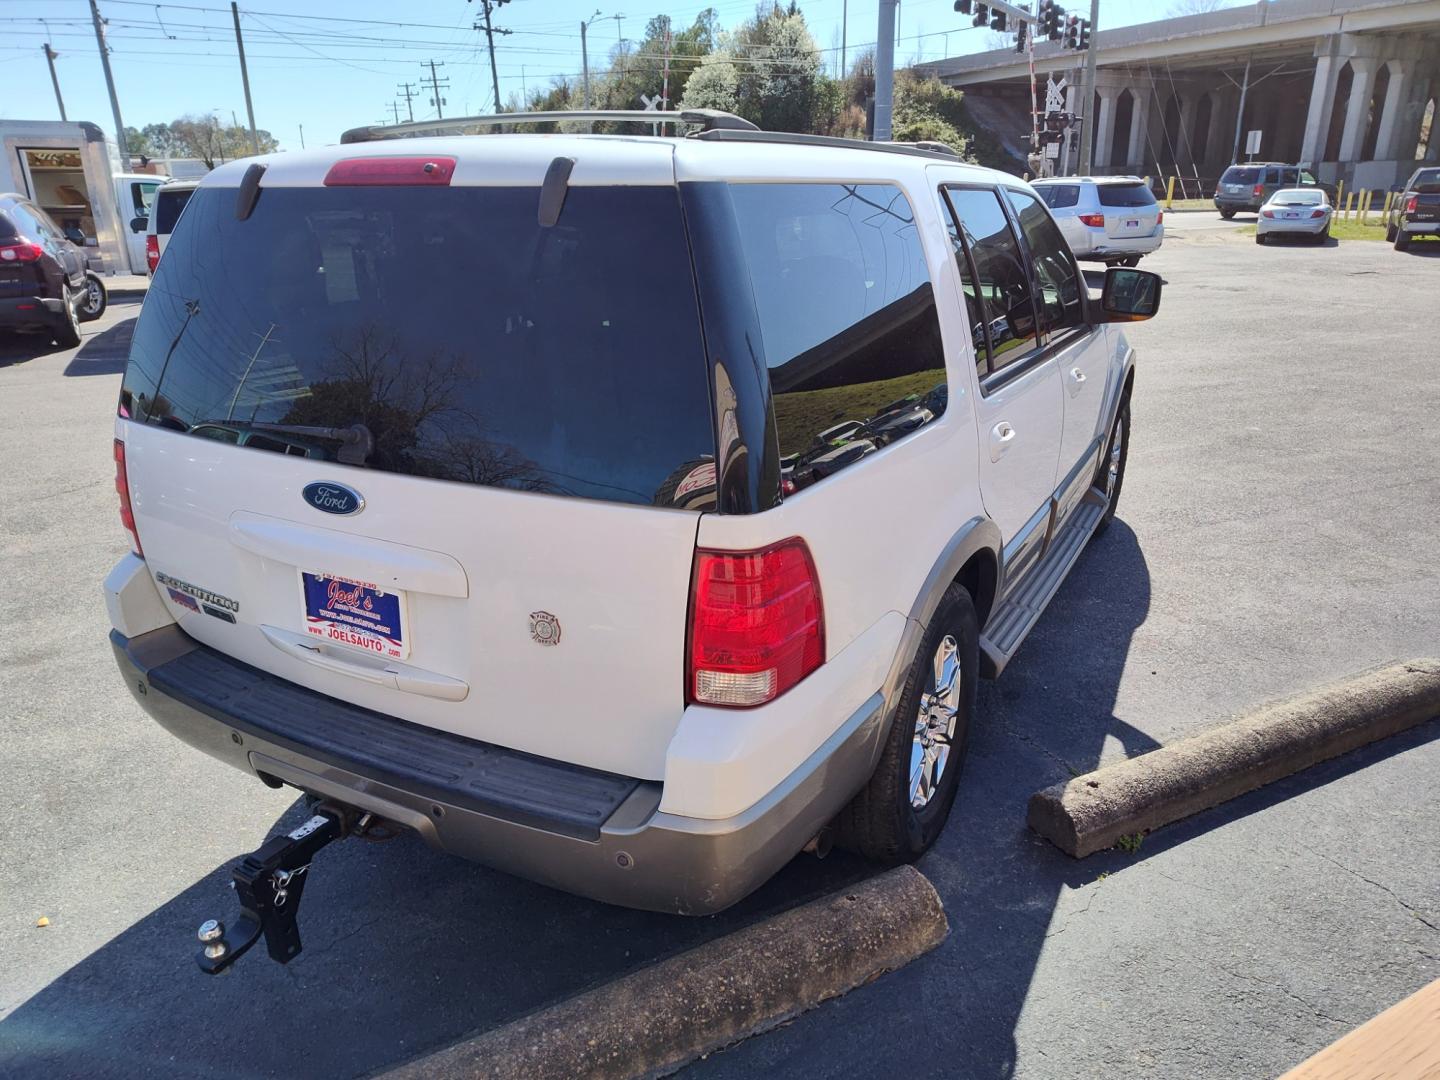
(584, 832)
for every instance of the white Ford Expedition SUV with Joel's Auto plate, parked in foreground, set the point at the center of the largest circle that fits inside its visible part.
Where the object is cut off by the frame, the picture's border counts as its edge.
(620, 512)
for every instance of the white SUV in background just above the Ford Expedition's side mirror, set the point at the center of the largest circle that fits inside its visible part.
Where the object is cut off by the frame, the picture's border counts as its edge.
(1111, 220)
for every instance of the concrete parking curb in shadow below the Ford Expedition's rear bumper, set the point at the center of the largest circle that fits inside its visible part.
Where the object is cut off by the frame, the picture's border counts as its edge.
(714, 996)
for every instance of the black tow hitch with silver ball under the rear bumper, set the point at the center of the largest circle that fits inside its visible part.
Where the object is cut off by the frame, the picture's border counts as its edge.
(270, 883)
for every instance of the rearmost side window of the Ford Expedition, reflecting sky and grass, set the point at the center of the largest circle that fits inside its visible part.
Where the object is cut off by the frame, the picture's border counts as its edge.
(847, 318)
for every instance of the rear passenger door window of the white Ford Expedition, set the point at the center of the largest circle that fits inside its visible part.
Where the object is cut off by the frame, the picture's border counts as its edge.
(1000, 270)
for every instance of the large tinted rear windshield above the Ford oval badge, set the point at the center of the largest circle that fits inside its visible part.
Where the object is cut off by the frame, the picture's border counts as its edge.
(472, 343)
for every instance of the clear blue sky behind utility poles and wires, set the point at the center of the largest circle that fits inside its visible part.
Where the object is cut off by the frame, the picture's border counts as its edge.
(320, 66)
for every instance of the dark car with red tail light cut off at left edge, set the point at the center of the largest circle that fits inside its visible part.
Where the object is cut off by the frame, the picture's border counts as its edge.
(45, 284)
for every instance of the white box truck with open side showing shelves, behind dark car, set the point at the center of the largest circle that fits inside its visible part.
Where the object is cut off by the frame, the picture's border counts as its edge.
(73, 172)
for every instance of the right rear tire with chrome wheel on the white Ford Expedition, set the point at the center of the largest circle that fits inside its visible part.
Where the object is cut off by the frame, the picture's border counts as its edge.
(902, 810)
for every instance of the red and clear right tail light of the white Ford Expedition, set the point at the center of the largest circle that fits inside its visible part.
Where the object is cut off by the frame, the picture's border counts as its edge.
(757, 624)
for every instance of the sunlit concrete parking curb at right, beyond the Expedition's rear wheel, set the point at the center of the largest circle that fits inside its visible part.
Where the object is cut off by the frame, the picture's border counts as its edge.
(1095, 811)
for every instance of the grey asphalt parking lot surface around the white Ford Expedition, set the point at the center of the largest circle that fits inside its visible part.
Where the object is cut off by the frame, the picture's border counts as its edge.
(1279, 528)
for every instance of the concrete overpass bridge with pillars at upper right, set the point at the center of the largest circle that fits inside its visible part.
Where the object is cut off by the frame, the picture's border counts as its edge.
(1350, 87)
